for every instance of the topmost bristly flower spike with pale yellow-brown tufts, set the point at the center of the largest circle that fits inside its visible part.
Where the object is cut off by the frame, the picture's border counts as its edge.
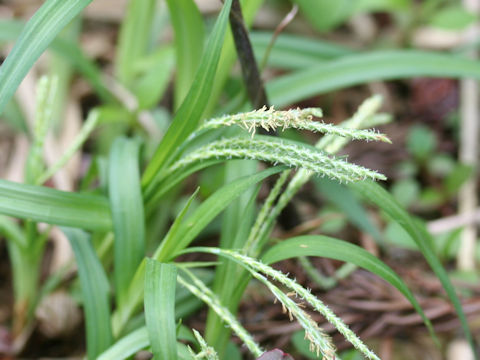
(301, 119)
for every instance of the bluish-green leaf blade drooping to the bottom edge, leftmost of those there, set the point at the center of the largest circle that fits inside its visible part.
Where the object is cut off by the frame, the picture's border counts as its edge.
(95, 293)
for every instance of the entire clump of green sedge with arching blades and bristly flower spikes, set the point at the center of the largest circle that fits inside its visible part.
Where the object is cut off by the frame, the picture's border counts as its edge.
(133, 289)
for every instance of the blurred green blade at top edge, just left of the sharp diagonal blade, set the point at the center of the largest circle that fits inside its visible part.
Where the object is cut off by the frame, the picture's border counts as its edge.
(189, 37)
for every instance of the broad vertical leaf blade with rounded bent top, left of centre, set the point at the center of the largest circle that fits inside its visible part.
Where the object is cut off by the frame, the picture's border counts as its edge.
(126, 204)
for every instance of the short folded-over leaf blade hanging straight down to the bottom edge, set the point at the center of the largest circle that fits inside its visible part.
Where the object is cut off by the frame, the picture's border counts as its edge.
(160, 283)
